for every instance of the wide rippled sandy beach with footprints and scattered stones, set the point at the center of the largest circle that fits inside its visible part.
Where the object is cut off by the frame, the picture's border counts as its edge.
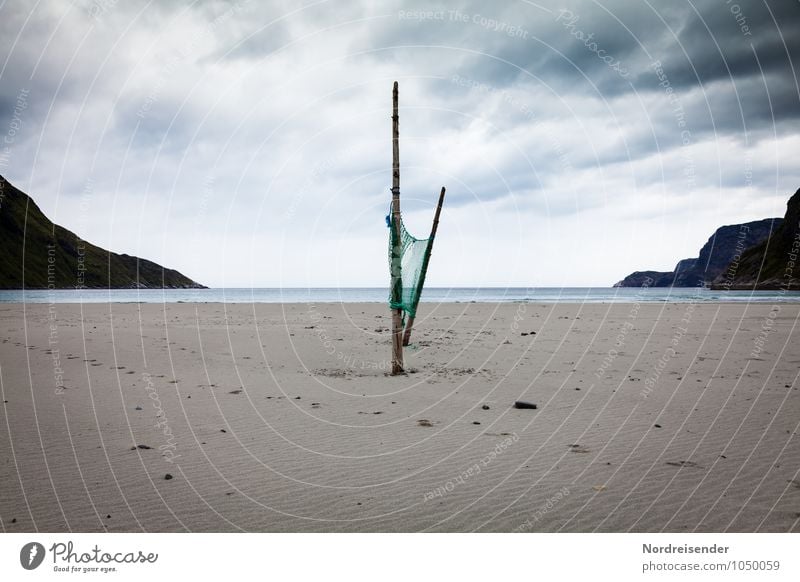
(268, 417)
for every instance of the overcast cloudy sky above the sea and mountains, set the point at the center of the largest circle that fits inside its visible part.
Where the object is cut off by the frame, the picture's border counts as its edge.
(248, 144)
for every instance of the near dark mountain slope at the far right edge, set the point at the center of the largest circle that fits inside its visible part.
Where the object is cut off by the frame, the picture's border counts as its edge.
(772, 263)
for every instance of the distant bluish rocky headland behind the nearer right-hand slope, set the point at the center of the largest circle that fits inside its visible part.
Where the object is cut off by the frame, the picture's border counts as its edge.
(724, 246)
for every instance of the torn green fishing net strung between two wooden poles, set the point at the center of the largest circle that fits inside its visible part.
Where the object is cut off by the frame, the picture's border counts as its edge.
(405, 291)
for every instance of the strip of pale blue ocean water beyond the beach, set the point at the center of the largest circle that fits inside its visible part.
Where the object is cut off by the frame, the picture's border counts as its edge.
(380, 295)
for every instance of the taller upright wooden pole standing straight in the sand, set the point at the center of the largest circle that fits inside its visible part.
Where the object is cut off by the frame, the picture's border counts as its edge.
(396, 267)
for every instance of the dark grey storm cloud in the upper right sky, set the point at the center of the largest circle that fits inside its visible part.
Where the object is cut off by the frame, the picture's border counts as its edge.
(698, 45)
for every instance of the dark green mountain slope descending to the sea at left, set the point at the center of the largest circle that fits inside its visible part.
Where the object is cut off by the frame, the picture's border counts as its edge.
(38, 254)
